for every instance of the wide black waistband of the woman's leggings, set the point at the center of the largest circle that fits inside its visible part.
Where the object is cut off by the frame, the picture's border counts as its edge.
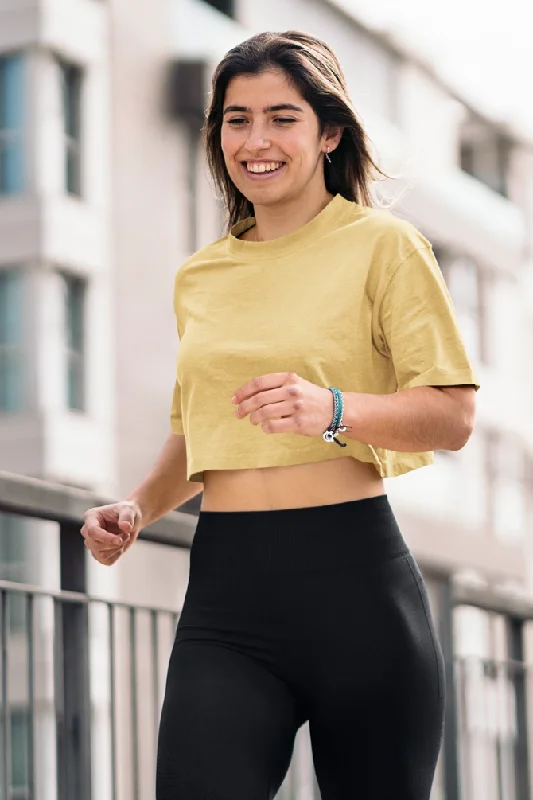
(332, 536)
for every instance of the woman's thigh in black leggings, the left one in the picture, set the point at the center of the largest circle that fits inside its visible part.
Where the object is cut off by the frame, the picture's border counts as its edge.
(227, 727)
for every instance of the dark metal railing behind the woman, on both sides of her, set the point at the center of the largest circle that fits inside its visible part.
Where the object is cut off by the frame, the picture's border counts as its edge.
(82, 678)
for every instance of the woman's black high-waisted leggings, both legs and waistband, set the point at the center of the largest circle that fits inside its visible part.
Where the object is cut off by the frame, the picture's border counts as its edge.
(317, 614)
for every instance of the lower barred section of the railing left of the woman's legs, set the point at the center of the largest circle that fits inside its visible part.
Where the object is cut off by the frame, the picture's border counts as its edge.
(71, 671)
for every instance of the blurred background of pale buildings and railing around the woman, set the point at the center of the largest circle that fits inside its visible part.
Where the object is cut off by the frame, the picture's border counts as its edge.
(103, 193)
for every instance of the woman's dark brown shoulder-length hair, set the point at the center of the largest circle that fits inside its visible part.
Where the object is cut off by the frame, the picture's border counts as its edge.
(313, 69)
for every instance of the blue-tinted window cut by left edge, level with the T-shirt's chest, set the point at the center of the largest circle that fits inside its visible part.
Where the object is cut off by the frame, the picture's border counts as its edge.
(11, 353)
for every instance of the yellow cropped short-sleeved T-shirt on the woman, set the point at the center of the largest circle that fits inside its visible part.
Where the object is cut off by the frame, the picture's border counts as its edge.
(353, 299)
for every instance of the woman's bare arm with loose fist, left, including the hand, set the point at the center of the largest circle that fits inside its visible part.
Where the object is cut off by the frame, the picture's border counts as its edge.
(111, 529)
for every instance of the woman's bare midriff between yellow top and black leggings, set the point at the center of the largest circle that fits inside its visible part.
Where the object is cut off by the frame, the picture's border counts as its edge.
(337, 480)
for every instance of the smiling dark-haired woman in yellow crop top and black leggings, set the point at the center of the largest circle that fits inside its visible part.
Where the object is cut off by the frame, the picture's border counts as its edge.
(319, 354)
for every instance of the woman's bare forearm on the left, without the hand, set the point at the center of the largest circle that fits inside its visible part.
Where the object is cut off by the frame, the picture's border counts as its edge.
(166, 486)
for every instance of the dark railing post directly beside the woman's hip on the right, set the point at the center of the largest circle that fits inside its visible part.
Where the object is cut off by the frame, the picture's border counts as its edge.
(450, 752)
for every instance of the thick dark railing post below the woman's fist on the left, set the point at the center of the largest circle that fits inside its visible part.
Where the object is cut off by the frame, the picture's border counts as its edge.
(74, 728)
